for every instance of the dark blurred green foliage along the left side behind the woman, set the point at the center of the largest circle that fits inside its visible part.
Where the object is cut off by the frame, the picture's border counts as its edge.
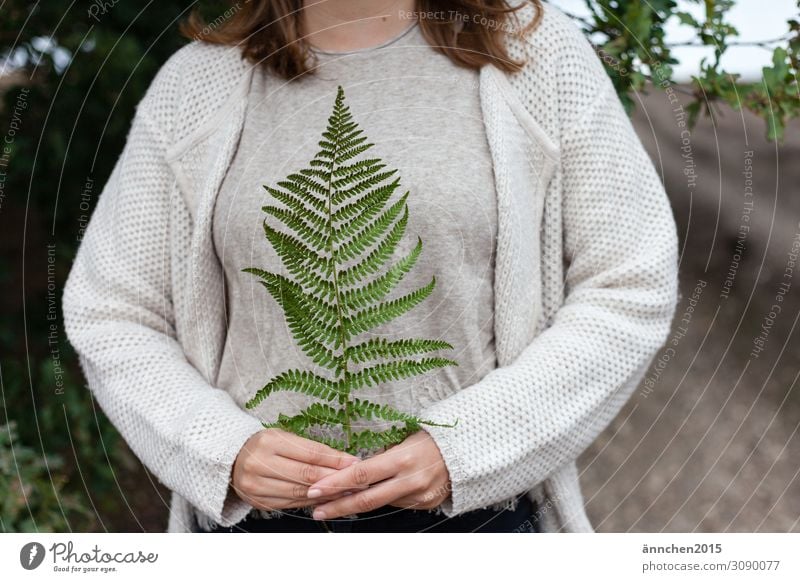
(84, 75)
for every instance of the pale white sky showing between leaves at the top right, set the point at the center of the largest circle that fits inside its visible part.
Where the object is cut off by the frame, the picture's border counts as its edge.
(756, 20)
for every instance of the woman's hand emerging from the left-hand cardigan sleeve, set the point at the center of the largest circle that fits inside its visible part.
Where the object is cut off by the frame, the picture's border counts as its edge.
(274, 468)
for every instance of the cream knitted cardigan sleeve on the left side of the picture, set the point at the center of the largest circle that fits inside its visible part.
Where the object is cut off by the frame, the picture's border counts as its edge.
(118, 315)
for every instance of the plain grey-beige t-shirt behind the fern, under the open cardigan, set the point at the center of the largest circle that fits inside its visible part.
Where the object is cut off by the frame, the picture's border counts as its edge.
(423, 114)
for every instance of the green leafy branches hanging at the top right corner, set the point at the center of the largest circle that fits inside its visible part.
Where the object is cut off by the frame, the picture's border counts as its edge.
(629, 36)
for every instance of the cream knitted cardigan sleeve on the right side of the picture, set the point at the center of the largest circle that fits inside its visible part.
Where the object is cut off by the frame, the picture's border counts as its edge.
(524, 421)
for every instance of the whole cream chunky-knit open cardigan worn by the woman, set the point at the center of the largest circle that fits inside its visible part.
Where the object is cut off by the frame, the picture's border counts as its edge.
(585, 283)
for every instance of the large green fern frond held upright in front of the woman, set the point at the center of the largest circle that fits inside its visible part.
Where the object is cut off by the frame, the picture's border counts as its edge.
(343, 229)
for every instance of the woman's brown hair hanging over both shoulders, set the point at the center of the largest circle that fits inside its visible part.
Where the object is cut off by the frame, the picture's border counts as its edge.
(269, 32)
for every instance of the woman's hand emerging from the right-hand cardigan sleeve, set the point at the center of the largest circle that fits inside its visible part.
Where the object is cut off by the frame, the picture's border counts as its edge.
(411, 474)
